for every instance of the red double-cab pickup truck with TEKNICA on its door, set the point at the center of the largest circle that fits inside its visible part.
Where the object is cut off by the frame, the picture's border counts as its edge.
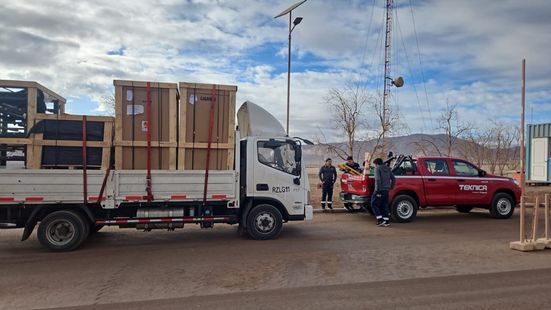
(435, 182)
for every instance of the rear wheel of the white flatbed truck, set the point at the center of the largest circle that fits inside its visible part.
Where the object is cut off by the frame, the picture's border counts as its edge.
(62, 231)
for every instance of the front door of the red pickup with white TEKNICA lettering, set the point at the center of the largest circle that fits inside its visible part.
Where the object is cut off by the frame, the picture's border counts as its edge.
(471, 188)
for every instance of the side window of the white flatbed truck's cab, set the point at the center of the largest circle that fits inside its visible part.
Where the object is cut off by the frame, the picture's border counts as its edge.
(278, 155)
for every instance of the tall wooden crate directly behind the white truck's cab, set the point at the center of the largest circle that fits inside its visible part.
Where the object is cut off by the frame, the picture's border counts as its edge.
(195, 103)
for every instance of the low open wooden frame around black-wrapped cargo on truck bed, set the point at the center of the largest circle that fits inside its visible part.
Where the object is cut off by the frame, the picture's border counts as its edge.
(36, 144)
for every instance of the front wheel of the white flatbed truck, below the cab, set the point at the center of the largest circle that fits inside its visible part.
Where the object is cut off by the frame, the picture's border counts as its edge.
(264, 222)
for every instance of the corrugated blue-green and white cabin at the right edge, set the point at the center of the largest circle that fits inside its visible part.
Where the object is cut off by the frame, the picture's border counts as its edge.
(538, 153)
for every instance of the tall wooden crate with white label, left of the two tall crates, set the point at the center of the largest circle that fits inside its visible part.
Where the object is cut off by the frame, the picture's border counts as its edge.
(131, 130)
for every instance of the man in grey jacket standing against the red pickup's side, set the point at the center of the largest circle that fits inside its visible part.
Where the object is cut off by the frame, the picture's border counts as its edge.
(384, 182)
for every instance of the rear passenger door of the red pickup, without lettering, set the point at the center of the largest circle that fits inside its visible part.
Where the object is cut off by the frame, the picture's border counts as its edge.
(440, 185)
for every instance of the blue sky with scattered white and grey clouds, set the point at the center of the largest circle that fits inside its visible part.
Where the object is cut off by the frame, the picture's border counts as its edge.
(470, 53)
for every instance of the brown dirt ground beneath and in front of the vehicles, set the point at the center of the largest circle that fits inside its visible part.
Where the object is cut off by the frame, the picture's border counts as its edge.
(442, 260)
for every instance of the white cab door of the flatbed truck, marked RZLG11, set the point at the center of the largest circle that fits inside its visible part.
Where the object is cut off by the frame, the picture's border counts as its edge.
(277, 174)
